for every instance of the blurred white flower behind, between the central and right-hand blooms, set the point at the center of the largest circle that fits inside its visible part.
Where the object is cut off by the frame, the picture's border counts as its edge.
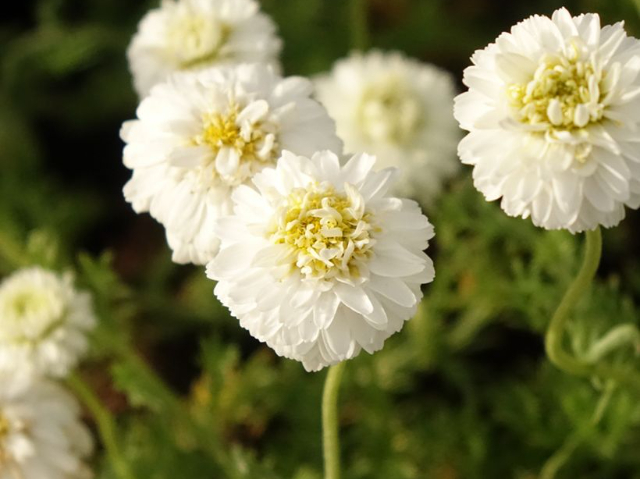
(401, 111)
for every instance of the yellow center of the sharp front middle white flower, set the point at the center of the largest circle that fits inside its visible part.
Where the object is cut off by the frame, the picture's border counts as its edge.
(328, 233)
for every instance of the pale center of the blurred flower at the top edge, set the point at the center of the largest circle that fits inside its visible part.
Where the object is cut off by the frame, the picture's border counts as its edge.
(193, 39)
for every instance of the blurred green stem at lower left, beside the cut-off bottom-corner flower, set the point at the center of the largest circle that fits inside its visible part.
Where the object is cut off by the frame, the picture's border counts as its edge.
(105, 423)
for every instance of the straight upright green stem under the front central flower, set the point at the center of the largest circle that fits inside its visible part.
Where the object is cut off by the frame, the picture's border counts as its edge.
(330, 435)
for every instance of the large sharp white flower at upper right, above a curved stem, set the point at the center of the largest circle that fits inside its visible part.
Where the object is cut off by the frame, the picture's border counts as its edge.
(553, 111)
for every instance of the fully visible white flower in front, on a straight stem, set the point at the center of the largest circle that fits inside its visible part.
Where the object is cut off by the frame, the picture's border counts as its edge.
(319, 262)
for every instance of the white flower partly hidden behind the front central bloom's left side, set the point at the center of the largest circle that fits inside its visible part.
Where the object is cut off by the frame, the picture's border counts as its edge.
(201, 135)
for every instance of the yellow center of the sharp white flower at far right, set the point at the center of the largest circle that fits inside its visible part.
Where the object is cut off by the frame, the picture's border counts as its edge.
(564, 94)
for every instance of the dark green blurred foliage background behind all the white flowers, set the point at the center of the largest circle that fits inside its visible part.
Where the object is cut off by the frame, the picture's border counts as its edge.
(465, 391)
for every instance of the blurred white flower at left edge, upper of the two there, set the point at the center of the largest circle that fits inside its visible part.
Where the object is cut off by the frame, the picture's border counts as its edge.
(43, 323)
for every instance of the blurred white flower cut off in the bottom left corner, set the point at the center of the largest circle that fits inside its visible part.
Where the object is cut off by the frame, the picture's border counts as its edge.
(41, 435)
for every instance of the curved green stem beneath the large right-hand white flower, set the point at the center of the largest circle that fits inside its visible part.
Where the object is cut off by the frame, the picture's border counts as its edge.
(553, 339)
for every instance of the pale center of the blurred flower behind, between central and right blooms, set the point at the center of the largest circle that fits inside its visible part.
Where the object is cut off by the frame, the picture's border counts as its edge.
(389, 112)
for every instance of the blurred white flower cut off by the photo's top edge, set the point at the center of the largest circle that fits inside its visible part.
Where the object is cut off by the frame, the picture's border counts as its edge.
(194, 34)
